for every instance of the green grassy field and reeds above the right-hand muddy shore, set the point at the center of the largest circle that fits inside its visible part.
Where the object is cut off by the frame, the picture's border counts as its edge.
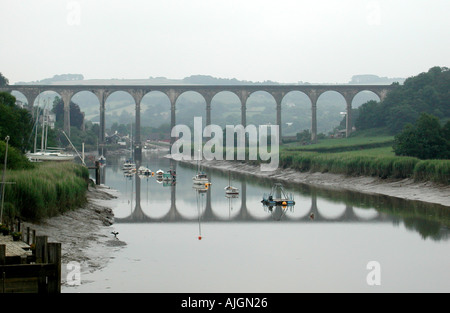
(363, 156)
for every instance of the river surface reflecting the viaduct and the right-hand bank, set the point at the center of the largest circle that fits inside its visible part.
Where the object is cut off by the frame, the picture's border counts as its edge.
(172, 202)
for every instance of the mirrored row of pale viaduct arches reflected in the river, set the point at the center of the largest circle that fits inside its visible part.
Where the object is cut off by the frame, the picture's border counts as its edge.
(149, 202)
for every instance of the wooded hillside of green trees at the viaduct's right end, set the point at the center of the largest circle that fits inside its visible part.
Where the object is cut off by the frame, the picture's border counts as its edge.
(417, 113)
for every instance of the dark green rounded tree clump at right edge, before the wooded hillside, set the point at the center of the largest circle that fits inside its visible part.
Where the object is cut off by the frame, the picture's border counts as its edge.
(425, 140)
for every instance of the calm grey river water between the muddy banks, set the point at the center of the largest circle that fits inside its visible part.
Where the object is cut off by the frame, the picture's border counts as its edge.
(353, 243)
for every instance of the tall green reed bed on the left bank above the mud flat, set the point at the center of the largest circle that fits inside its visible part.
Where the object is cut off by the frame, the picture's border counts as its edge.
(45, 190)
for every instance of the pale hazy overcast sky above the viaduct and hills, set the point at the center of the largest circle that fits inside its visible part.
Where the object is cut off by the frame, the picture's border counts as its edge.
(283, 40)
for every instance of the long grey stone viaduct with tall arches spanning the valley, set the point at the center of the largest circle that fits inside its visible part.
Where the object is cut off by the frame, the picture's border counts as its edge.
(66, 92)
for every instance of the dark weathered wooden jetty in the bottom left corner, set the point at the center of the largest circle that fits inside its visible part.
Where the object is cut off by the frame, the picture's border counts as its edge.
(30, 268)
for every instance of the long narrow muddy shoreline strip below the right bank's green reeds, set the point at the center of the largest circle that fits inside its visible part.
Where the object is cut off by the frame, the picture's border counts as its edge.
(407, 189)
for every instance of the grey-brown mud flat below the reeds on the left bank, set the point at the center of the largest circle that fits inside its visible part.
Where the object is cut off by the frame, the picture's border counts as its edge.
(85, 234)
